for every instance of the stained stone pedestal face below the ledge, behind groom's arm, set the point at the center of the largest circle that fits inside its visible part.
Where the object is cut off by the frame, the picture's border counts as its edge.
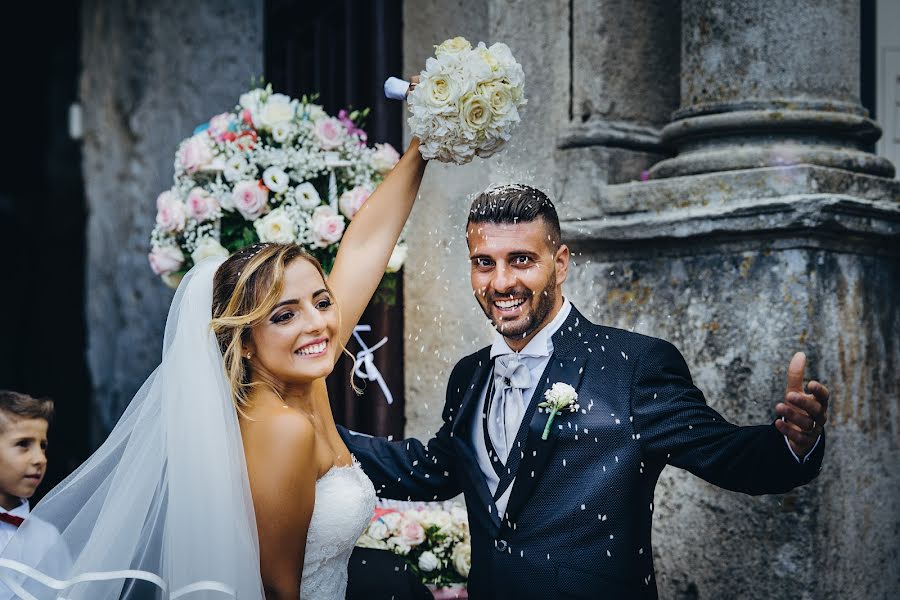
(738, 312)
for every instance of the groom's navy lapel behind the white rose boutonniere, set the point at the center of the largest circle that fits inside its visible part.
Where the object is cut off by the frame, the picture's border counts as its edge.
(567, 366)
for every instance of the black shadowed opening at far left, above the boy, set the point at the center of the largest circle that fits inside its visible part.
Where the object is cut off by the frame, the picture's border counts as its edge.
(42, 217)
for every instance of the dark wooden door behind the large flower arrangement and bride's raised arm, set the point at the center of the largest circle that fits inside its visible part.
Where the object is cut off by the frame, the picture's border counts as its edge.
(344, 50)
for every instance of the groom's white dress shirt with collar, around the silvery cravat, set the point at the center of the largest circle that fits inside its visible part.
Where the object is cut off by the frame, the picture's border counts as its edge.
(536, 354)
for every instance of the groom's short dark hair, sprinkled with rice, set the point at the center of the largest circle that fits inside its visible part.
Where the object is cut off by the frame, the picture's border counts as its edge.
(515, 203)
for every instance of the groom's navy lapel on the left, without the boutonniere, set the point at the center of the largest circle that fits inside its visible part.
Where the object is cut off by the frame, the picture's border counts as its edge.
(462, 438)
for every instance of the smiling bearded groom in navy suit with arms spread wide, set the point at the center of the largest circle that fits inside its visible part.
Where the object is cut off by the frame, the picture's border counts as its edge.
(569, 516)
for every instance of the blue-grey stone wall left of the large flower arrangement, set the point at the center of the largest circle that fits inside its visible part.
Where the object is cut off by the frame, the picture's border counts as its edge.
(151, 73)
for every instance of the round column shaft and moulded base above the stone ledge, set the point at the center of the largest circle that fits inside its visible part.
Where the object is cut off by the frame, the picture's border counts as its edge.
(767, 84)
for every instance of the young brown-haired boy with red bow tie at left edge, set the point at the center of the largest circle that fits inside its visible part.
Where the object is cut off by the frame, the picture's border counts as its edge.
(23, 456)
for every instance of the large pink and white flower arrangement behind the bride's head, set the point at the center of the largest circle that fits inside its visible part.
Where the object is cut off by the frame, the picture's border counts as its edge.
(274, 169)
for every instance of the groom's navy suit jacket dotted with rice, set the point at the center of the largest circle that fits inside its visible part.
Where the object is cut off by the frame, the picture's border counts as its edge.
(579, 516)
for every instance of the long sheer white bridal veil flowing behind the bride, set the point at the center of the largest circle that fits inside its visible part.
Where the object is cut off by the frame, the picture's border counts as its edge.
(162, 509)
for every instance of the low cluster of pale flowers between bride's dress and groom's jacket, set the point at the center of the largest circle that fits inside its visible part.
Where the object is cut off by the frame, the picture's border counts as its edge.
(435, 542)
